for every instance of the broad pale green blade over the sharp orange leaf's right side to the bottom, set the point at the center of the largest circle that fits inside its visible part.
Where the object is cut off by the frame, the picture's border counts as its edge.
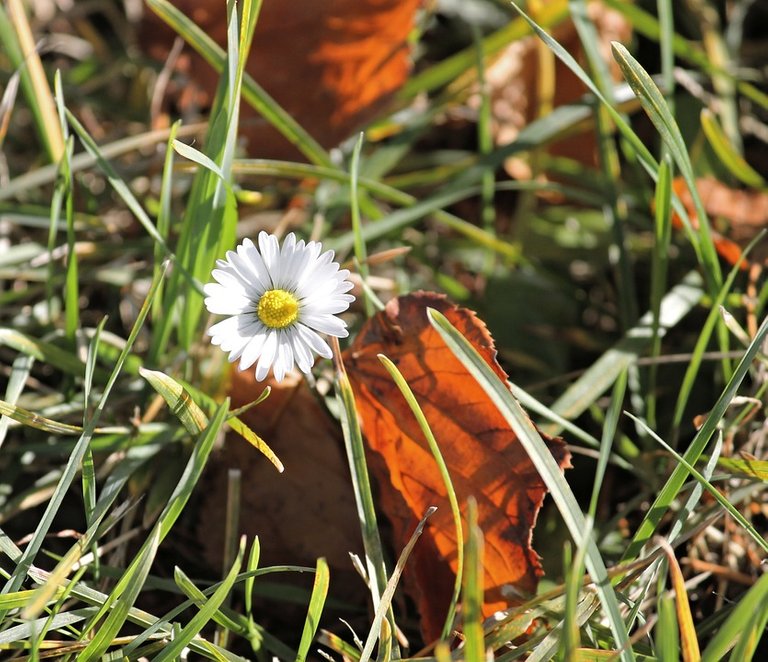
(550, 472)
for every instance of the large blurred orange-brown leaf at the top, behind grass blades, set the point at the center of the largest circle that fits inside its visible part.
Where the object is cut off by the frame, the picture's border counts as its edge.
(332, 65)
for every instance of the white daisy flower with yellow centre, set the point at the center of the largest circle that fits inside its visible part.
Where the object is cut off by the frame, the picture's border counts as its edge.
(278, 302)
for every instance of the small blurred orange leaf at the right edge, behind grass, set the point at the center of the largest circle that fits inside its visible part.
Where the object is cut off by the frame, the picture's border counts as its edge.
(745, 211)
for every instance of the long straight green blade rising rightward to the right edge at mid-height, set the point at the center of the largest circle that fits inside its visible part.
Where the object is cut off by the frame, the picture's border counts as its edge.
(674, 483)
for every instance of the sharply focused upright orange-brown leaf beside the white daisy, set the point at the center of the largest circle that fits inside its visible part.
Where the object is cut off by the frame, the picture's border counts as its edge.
(482, 453)
